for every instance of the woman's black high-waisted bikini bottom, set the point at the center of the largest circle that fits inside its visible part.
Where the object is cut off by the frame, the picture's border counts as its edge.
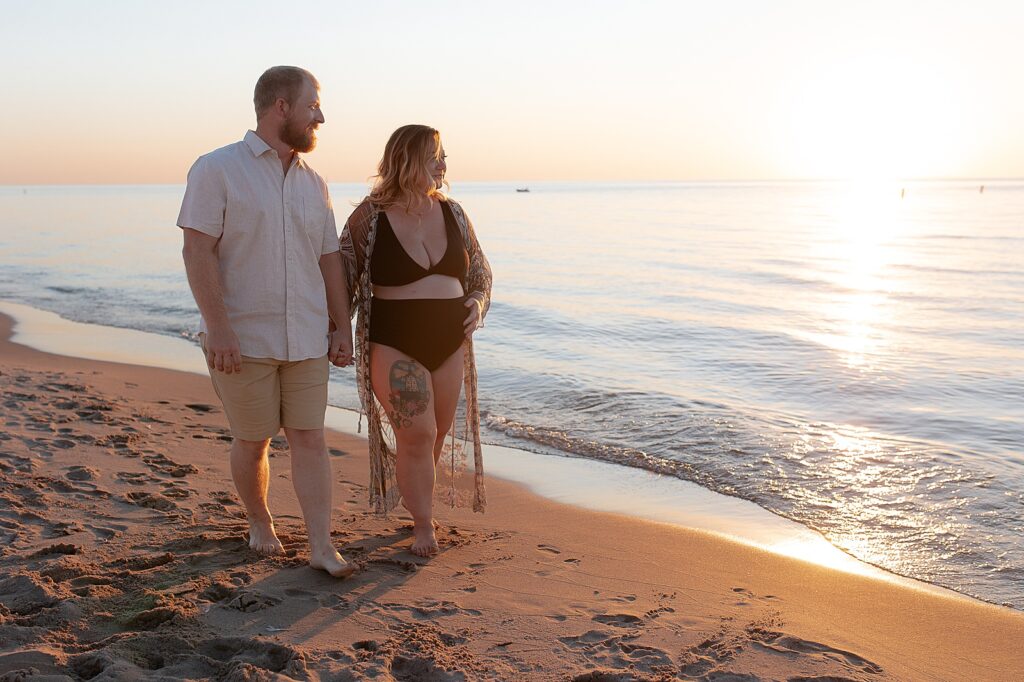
(429, 330)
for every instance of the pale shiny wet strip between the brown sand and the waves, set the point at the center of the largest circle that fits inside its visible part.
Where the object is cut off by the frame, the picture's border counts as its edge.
(571, 480)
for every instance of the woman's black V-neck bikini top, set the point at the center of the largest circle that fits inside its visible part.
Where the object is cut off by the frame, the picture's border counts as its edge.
(391, 265)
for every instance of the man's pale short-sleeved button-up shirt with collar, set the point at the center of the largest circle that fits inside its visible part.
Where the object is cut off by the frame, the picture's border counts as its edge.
(273, 229)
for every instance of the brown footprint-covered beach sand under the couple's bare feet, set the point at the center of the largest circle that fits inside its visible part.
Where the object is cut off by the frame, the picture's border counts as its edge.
(122, 558)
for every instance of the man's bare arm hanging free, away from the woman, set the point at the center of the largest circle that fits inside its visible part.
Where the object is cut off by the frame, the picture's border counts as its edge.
(203, 269)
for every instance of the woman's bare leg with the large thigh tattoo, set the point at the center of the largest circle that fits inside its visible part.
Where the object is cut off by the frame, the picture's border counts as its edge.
(405, 389)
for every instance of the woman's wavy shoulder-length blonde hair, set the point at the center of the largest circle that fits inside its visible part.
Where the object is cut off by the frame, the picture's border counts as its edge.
(402, 173)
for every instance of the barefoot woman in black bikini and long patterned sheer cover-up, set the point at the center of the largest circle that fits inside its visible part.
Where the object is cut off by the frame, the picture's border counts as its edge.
(422, 287)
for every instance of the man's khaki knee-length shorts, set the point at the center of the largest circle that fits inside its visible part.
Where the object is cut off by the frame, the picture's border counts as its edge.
(271, 394)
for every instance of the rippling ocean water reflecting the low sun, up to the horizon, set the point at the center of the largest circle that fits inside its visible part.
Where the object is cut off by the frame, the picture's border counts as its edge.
(839, 355)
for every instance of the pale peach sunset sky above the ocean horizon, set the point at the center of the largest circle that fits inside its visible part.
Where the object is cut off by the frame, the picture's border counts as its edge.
(132, 93)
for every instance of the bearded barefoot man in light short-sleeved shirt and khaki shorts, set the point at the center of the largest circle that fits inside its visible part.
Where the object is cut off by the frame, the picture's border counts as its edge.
(262, 255)
